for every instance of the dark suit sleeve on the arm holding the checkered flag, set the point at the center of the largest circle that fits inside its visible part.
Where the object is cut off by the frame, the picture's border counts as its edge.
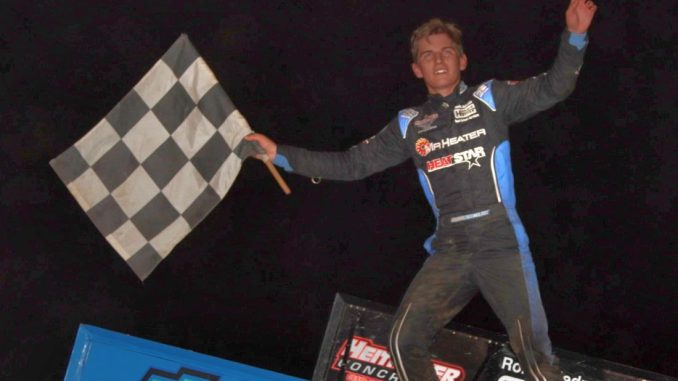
(375, 154)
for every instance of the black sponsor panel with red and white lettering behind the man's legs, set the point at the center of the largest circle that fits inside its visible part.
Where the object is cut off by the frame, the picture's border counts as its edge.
(460, 353)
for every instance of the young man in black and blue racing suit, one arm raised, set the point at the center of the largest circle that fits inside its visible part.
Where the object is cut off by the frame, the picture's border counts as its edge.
(458, 141)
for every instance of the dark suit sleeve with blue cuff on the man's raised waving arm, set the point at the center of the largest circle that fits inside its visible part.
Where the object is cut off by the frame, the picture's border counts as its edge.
(518, 101)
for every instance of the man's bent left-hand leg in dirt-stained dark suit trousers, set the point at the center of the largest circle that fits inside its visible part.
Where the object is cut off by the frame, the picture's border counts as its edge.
(438, 292)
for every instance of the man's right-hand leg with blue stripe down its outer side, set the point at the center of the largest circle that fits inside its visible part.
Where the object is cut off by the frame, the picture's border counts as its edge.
(509, 284)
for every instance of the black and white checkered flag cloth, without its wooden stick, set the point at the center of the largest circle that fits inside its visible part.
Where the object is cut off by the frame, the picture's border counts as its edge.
(161, 159)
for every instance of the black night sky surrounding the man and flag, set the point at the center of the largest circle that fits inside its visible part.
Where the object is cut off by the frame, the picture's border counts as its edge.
(254, 282)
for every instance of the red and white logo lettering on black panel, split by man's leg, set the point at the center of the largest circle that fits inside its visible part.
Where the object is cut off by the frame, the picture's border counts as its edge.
(371, 362)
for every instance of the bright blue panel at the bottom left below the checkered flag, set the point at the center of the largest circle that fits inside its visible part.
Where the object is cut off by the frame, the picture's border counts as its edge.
(103, 355)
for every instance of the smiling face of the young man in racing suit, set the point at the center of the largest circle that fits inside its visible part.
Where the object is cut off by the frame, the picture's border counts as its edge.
(439, 64)
